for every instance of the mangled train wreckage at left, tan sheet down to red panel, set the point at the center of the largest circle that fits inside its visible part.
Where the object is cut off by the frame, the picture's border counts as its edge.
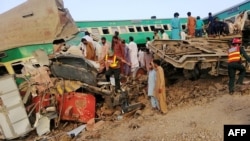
(66, 87)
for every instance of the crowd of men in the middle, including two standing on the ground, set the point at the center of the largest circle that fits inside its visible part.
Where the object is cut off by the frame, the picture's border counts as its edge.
(119, 57)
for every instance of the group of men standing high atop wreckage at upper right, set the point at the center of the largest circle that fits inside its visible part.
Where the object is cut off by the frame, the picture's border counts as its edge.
(197, 28)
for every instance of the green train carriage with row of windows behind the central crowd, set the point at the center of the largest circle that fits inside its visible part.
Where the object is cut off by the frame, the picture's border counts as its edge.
(139, 29)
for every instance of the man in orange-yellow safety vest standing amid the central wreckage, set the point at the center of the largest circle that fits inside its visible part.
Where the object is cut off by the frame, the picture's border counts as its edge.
(112, 63)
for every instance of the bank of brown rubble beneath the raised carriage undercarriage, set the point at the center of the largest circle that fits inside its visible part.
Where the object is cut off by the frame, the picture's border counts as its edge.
(196, 92)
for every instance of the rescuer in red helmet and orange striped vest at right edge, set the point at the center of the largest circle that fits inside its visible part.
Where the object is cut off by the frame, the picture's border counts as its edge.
(234, 63)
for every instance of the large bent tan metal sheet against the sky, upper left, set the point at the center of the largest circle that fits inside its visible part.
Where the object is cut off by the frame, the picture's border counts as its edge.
(28, 24)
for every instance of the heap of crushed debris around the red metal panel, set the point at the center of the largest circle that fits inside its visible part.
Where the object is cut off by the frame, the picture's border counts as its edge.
(51, 98)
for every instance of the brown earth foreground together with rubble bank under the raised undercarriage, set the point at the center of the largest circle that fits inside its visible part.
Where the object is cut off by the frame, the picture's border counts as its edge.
(198, 110)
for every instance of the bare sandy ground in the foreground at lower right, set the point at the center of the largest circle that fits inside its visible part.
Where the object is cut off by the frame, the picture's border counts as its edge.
(189, 123)
